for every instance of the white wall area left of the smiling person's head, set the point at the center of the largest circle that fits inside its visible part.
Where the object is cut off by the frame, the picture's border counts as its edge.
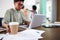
(4, 5)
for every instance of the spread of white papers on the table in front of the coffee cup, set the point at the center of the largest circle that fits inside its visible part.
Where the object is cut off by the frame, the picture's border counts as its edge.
(29, 34)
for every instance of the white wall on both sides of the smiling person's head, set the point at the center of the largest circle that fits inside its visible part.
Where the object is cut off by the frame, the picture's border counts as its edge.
(7, 4)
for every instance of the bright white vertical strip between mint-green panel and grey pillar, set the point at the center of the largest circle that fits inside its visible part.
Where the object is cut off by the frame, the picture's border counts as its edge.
(49, 9)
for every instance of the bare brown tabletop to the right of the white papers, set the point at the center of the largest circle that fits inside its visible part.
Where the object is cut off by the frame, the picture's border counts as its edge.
(50, 33)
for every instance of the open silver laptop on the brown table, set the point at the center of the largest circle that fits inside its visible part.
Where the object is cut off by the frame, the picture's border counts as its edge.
(36, 21)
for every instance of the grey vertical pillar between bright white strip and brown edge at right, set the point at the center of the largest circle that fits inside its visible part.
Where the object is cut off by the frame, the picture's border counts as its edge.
(54, 10)
